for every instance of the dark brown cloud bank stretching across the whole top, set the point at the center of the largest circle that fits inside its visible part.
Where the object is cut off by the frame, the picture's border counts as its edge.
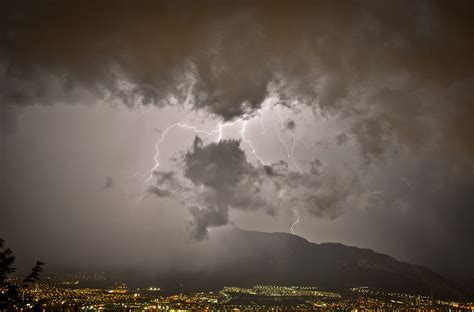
(223, 57)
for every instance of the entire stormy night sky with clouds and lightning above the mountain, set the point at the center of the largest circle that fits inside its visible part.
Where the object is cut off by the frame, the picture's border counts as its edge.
(354, 117)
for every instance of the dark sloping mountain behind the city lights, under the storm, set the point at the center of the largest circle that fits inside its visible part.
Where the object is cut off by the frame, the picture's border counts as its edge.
(246, 258)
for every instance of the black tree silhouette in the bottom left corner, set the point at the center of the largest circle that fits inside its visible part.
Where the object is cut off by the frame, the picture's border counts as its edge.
(10, 295)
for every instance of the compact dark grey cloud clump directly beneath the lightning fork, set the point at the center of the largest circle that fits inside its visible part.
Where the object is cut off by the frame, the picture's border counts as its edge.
(223, 179)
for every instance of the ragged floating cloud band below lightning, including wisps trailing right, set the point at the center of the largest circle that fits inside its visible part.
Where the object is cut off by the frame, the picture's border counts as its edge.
(220, 178)
